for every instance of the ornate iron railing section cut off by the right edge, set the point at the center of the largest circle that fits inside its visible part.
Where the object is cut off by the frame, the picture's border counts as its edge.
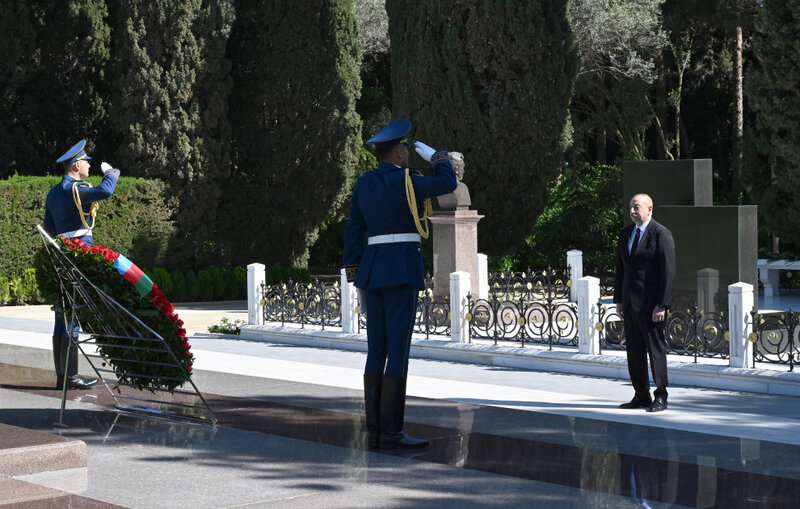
(775, 338)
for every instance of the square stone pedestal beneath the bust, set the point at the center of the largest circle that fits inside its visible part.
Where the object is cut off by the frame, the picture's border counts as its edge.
(455, 248)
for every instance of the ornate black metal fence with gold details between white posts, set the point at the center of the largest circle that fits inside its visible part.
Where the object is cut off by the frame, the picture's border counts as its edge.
(533, 307)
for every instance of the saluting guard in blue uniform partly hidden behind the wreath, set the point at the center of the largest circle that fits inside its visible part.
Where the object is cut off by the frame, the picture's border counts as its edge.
(70, 212)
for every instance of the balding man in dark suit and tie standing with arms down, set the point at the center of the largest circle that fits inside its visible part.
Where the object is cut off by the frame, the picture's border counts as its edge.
(642, 292)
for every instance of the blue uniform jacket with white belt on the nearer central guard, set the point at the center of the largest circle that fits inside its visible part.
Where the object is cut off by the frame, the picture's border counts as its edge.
(379, 206)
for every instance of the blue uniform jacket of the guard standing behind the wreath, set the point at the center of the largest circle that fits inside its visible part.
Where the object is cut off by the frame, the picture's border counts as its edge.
(61, 215)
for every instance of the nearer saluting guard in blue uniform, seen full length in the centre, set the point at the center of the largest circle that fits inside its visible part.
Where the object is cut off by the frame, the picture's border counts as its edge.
(383, 257)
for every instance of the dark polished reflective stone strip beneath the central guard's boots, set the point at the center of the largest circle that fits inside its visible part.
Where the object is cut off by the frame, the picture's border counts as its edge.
(651, 466)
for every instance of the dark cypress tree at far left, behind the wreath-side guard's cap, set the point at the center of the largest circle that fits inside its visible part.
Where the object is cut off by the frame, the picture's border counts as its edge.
(53, 80)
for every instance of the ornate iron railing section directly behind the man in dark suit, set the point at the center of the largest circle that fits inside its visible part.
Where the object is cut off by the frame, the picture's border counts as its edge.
(689, 332)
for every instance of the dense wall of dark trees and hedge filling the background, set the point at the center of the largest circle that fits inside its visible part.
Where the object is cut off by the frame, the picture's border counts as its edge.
(249, 112)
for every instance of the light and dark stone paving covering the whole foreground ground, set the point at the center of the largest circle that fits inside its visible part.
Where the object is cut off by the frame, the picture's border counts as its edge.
(290, 434)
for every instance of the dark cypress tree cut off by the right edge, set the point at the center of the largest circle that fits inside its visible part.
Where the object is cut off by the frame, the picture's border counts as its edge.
(773, 168)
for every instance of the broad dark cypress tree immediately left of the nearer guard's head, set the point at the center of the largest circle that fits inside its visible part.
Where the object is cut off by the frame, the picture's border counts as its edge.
(295, 129)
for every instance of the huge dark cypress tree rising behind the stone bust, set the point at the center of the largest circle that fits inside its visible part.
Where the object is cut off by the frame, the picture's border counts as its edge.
(493, 82)
